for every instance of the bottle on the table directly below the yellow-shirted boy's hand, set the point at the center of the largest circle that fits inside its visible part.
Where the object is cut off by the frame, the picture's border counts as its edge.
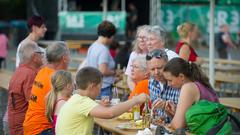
(146, 116)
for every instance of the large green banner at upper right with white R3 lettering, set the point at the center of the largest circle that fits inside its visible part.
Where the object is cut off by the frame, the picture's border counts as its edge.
(173, 15)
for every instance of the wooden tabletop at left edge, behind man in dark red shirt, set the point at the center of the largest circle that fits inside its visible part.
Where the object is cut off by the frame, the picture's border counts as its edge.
(5, 77)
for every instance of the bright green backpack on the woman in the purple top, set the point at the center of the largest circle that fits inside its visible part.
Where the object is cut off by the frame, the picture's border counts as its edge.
(205, 117)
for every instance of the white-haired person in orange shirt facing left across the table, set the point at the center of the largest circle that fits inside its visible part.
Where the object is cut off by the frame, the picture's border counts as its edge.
(139, 75)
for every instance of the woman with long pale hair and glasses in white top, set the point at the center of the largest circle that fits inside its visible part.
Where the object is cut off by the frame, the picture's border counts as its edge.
(139, 49)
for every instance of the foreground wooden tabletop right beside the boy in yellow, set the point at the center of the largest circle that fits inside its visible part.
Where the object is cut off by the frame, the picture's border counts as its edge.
(110, 125)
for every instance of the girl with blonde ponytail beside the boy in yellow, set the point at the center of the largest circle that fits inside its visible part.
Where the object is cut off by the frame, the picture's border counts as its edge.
(62, 88)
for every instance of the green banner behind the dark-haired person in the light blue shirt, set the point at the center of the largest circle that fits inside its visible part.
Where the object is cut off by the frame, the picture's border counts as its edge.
(87, 22)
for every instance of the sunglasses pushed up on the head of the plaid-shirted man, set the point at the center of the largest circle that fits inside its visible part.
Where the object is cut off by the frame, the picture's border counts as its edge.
(157, 54)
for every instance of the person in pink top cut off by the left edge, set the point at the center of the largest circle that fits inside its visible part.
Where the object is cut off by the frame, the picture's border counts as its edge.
(3, 48)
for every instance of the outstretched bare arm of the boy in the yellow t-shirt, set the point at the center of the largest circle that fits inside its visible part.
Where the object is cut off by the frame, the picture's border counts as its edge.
(111, 112)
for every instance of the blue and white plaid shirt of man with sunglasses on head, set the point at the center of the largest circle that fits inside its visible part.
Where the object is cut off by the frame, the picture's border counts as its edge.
(163, 91)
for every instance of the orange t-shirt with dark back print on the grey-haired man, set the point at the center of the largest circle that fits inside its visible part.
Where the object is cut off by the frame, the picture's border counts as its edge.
(35, 119)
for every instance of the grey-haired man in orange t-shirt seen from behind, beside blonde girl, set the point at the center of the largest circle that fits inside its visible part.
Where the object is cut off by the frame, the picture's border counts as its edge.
(36, 122)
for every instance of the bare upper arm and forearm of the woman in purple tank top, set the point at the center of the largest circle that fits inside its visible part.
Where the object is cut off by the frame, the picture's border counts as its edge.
(189, 94)
